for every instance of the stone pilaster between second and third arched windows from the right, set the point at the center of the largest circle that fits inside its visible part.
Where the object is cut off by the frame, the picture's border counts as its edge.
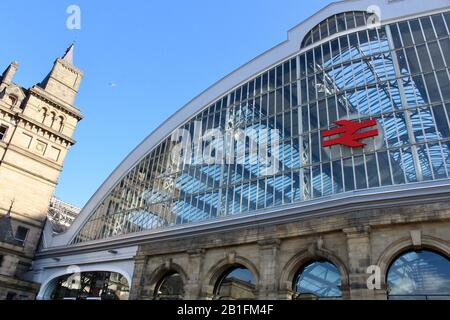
(269, 269)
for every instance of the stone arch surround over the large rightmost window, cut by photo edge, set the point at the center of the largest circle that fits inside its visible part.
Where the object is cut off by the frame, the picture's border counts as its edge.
(405, 244)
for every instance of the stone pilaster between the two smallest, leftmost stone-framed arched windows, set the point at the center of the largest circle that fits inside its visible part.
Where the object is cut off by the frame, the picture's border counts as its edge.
(193, 287)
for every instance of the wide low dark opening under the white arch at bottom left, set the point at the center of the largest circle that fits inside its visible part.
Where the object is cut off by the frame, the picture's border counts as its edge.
(95, 285)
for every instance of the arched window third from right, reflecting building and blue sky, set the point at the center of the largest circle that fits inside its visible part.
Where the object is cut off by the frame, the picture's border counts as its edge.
(237, 283)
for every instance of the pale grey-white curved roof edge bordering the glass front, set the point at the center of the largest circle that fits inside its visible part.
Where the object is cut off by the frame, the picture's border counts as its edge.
(390, 9)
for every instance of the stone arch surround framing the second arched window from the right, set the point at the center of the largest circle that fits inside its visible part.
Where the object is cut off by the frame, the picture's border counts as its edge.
(302, 258)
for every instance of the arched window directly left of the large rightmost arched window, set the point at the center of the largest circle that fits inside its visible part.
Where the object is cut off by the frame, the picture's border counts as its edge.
(318, 279)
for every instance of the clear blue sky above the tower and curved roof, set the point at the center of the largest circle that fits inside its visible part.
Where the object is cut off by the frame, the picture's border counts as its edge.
(158, 54)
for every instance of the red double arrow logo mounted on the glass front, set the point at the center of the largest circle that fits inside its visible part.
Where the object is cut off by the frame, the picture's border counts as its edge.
(349, 135)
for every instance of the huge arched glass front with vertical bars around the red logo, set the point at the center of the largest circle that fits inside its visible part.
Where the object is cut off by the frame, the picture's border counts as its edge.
(260, 145)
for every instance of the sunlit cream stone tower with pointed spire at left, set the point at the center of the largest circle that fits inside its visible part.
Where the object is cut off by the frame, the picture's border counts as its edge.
(36, 128)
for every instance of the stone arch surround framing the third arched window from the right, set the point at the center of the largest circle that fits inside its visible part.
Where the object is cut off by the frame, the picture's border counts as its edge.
(216, 272)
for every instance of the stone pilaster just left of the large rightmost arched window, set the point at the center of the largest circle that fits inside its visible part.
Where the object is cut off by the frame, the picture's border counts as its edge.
(358, 244)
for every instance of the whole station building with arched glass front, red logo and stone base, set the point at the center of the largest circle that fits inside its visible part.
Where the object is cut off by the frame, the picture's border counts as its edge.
(357, 206)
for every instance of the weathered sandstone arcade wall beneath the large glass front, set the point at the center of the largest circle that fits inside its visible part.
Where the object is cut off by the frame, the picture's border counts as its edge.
(352, 241)
